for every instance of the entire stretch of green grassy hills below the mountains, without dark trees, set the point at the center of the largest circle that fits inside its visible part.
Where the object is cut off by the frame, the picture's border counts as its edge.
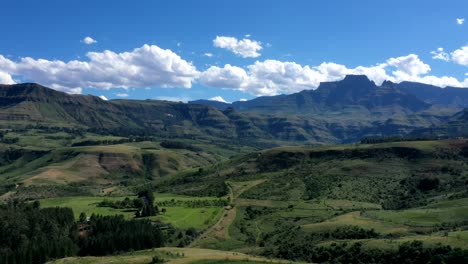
(285, 200)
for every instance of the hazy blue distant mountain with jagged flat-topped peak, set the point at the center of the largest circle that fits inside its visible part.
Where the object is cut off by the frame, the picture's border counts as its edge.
(353, 93)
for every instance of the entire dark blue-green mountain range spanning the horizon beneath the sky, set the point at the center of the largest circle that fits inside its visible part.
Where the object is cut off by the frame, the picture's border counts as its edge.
(336, 112)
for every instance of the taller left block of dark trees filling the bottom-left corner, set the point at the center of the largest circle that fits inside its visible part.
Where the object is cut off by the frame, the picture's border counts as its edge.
(33, 235)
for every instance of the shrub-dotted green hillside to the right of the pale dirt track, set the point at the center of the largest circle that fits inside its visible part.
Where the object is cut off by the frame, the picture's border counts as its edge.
(401, 191)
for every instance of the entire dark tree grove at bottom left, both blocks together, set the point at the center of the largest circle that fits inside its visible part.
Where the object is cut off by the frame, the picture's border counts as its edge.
(30, 234)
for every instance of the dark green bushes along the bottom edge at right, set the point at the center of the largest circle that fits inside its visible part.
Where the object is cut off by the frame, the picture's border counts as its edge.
(289, 242)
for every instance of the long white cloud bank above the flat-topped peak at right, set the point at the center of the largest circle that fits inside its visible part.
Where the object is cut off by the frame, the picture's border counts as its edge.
(272, 77)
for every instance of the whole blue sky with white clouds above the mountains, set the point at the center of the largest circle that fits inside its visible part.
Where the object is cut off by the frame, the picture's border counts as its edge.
(229, 50)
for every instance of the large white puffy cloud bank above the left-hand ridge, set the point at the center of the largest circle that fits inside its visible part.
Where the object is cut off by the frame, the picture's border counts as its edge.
(147, 66)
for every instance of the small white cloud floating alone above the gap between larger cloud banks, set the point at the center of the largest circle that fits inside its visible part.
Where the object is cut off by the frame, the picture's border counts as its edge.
(245, 48)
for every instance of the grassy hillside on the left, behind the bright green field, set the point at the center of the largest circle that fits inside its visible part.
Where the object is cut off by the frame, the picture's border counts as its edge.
(39, 163)
